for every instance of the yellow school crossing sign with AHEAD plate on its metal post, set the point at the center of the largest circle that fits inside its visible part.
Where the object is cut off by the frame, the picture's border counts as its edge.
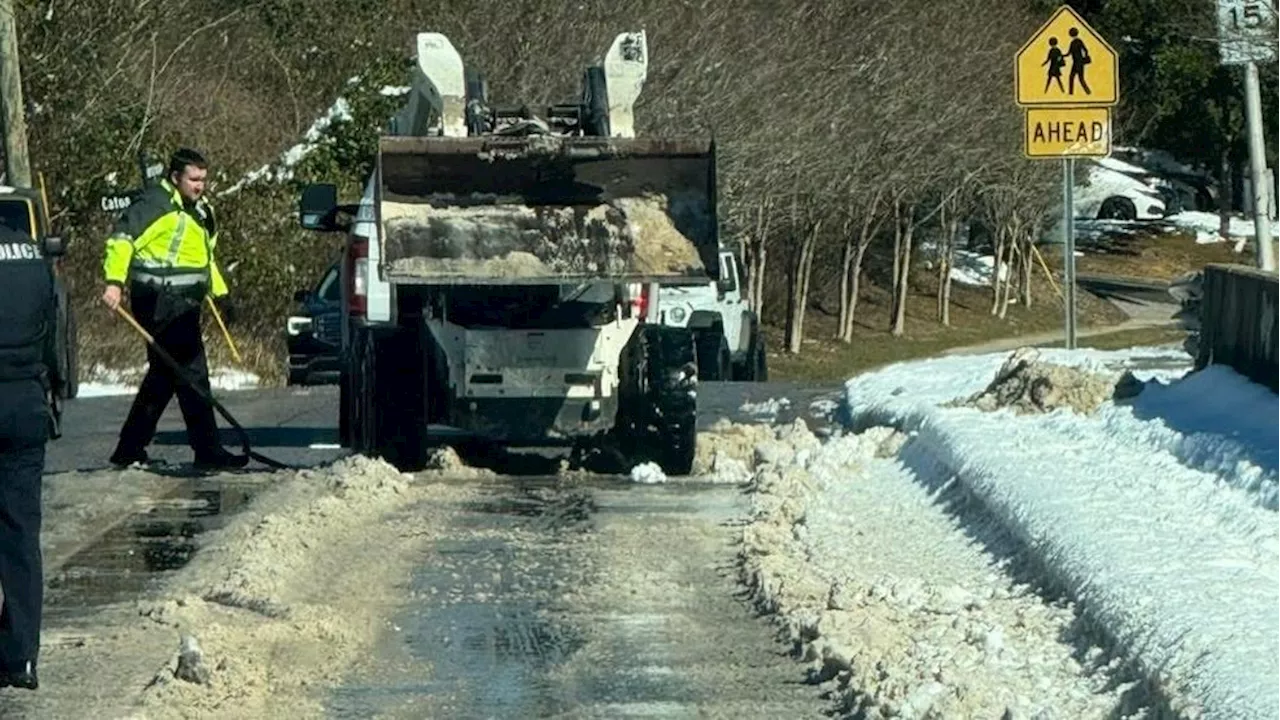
(1067, 79)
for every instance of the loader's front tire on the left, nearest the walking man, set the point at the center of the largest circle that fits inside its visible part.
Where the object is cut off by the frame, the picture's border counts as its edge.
(394, 409)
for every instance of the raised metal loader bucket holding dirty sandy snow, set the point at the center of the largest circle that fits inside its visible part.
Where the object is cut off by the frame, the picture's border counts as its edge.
(542, 209)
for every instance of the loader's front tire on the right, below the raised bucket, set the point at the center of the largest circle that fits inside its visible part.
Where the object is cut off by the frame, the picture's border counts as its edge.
(659, 403)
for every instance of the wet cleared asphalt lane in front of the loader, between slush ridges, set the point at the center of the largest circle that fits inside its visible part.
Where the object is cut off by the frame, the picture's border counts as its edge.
(551, 599)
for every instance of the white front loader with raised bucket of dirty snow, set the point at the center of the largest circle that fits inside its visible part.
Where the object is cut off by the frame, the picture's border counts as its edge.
(504, 268)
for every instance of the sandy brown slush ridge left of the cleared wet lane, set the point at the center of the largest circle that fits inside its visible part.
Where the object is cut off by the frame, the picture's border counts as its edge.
(281, 601)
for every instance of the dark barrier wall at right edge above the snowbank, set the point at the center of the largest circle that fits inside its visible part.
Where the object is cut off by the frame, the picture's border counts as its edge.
(1240, 329)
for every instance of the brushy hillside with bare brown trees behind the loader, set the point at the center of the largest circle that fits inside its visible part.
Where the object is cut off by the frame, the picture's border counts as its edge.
(833, 160)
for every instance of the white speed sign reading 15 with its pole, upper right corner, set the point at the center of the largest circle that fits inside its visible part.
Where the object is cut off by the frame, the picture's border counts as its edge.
(1247, 37)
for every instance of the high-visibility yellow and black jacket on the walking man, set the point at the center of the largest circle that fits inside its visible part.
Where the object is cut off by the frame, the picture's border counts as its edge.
(161, 240)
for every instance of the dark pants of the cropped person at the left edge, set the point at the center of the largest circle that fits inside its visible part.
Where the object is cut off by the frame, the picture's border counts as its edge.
(24, 432)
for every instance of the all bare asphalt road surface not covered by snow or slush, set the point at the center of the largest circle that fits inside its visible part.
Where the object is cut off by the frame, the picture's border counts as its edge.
(584, 612)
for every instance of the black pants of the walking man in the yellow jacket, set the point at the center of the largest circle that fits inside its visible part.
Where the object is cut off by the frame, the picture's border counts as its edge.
(175, 323)
